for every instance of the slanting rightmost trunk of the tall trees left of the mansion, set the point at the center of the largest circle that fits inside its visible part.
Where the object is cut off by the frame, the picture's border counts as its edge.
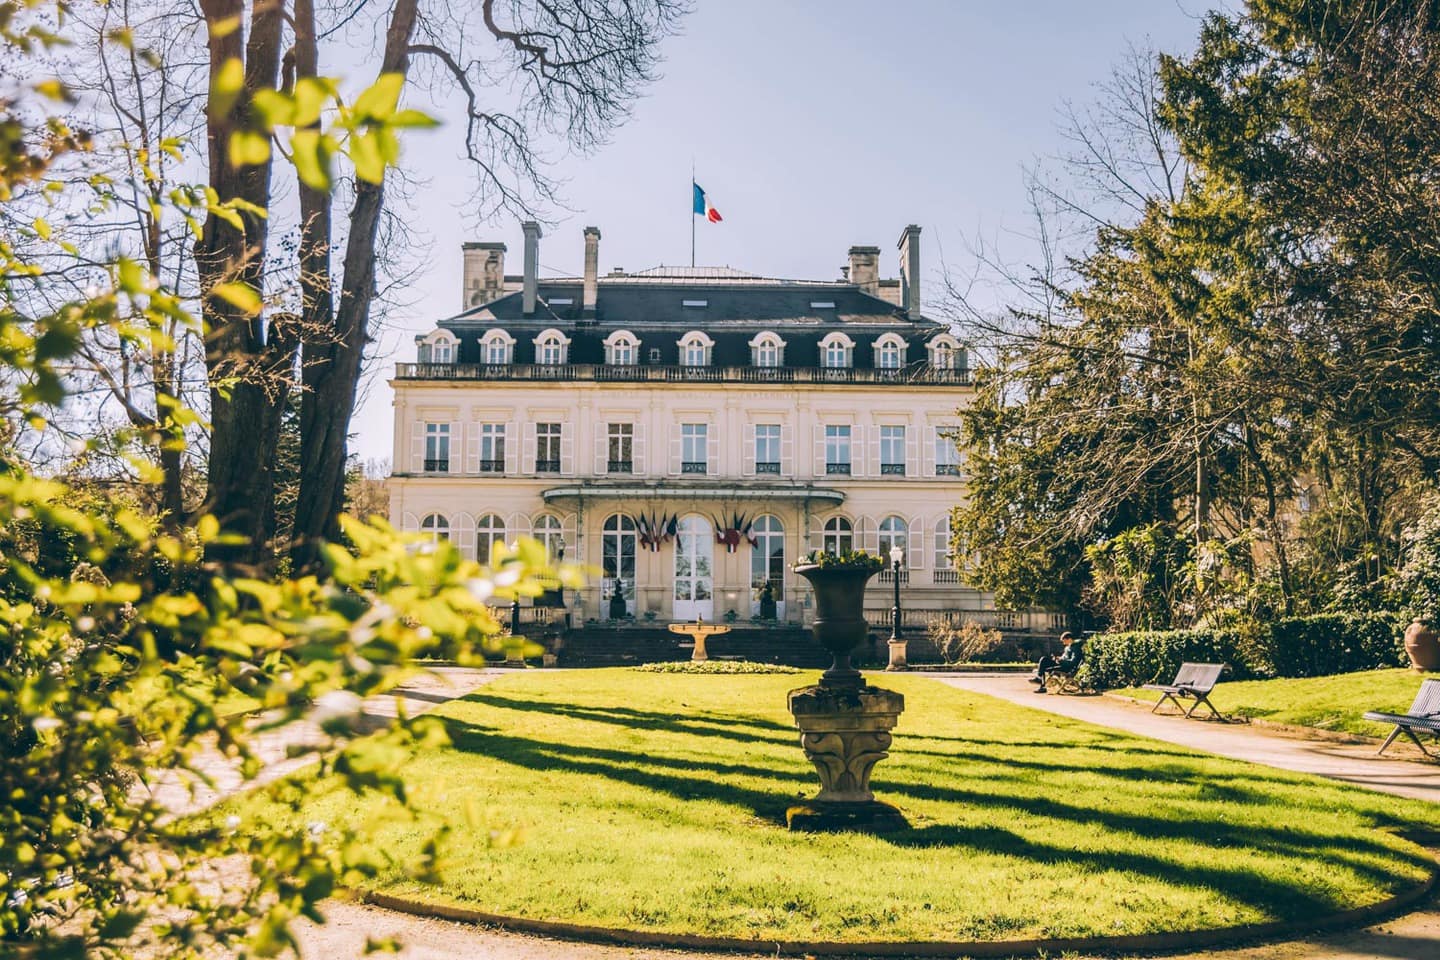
(335, 356)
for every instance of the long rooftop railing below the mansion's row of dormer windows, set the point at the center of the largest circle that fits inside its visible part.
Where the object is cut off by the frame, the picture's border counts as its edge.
(656, 373)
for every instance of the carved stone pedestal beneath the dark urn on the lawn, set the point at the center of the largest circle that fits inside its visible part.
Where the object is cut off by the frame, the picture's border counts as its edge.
(846, 733)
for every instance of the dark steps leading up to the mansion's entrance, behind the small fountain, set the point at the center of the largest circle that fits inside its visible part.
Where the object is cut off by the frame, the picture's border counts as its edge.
(603, 646)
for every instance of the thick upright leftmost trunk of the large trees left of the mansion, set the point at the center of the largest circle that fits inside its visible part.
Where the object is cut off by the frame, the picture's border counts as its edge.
(240, 358)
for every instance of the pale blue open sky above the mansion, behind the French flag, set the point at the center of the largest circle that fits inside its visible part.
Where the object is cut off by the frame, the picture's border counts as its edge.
(814, 126)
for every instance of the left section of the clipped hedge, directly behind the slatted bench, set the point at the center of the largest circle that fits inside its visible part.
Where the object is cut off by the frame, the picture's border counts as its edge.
(1147, 657)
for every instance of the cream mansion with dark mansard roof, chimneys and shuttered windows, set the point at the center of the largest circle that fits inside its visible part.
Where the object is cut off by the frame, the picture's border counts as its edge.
(690, 433)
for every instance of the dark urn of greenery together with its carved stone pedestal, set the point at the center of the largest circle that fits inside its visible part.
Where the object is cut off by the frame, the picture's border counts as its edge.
(845, 723)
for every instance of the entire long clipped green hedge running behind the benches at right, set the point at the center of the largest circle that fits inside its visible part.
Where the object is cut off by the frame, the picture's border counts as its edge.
(1297, 647)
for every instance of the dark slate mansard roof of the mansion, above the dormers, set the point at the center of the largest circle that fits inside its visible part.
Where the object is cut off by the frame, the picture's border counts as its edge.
(738, 307)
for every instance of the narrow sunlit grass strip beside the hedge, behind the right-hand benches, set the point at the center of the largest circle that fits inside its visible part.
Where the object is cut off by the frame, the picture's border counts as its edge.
(1327, 703)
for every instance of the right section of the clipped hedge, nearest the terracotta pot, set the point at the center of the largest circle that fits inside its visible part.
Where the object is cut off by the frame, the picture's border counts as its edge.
(1330, 644)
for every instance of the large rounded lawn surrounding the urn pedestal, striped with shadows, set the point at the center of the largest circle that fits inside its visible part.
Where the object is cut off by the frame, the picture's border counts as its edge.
(656, 802)
